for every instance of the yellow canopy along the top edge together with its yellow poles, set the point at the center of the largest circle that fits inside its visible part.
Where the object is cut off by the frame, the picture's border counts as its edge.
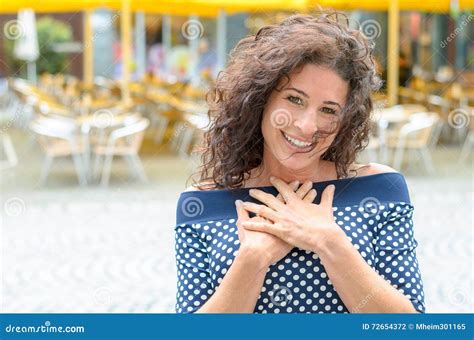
(214, 7)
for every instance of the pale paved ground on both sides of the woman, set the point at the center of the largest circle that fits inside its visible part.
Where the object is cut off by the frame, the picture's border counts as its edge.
(70, 249)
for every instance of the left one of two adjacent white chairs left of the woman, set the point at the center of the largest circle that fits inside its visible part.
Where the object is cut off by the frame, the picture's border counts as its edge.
(60, 138)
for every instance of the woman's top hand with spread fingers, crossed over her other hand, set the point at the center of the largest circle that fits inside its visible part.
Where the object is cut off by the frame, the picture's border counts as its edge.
(297, 221)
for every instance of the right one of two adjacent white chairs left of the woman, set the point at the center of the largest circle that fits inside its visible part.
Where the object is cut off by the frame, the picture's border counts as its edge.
(124, 141)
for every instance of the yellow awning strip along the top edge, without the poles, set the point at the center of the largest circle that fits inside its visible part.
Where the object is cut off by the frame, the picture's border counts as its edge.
(212, 7)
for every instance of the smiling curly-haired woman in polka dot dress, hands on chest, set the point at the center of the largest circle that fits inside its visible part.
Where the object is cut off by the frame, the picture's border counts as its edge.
(293, 107)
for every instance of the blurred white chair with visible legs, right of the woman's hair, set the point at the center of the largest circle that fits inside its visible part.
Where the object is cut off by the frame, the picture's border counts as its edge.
(418, 135)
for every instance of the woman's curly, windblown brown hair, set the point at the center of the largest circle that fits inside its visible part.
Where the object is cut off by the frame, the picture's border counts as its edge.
(233, 145)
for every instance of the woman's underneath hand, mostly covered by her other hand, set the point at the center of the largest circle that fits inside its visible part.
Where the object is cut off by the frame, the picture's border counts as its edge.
(263, 245)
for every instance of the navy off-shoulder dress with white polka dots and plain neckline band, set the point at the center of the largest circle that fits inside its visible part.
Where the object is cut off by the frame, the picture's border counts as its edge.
(374, 211)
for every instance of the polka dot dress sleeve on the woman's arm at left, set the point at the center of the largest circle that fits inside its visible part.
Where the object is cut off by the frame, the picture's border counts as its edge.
(194, 285)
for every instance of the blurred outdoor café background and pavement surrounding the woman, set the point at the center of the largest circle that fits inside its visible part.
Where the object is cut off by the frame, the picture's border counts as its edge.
(102, 103)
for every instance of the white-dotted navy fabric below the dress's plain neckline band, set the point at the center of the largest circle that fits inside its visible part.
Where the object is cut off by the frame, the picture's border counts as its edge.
(298, 283)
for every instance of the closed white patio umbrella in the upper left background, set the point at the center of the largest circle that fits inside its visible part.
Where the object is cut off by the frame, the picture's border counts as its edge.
(26, 45)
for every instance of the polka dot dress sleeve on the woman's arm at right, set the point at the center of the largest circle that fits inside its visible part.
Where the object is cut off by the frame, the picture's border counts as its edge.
(395, 249)
